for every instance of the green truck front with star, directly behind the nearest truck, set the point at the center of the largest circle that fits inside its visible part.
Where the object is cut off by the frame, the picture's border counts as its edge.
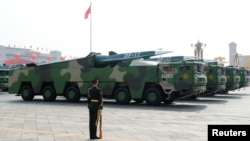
(216, 78)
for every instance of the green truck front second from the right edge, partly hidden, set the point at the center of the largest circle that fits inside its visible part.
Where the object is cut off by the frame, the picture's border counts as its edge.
(233, 79)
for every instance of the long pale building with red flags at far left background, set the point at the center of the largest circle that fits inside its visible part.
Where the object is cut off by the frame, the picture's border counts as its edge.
(14, 55)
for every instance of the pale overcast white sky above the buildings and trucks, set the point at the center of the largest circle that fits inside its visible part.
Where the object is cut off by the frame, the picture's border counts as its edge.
(127, 25)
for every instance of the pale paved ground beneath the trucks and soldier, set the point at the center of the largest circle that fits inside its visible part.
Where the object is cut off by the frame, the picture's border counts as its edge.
(63, 121)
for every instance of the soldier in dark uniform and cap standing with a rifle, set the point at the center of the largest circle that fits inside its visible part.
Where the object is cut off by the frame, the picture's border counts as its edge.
(95, 104)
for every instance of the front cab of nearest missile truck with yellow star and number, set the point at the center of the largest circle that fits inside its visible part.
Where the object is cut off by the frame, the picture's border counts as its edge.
(185, 80)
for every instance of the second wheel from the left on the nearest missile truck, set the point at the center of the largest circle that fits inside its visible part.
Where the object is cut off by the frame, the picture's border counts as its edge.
(49, 93)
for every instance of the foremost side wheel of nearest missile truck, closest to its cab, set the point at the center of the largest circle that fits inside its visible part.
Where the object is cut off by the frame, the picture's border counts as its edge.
(153, 96)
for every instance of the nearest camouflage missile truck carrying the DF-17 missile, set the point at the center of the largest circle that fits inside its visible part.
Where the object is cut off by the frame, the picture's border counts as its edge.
(121, 76)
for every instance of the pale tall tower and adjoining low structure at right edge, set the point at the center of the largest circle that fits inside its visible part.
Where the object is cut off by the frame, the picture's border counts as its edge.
(236, 59)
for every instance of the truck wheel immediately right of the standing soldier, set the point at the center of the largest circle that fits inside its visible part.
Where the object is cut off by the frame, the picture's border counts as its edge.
(122, 95)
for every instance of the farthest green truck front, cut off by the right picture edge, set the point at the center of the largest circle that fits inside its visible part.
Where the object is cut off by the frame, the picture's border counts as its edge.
(244, 77)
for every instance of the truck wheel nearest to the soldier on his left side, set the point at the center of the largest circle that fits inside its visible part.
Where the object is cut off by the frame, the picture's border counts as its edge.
(72, 94)
